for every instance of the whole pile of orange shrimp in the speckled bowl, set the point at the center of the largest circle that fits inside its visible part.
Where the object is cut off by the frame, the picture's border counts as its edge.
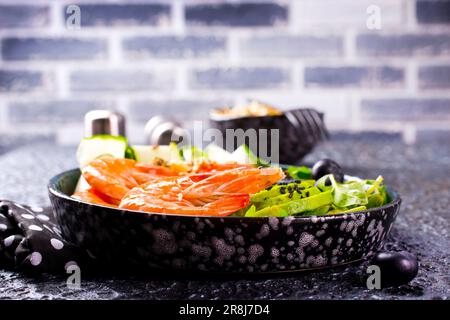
(205, 189)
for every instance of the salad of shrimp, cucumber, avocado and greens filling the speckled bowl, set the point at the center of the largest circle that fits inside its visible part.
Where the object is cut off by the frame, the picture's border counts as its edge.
(214, 182)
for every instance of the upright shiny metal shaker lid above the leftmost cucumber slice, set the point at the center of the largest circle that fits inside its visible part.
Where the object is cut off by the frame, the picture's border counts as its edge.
(104, 122)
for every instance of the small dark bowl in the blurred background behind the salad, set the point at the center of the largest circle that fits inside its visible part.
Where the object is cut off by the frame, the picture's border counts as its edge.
(294, 143)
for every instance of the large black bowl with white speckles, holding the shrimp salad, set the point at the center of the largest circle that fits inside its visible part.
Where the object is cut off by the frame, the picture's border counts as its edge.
(131, 239)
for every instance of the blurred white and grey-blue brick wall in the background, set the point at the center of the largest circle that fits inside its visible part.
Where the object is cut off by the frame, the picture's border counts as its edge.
(181, 58)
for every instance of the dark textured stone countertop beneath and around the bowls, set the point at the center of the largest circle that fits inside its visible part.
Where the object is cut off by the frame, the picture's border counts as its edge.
(419, 172)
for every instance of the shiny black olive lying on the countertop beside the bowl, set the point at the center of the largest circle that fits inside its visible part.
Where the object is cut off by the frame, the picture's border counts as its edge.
(397, 268)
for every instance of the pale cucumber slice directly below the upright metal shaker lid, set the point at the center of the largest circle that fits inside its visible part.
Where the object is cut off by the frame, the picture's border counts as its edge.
(96, 146)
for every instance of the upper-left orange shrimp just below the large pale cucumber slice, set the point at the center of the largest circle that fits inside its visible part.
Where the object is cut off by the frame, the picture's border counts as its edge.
(116, 177)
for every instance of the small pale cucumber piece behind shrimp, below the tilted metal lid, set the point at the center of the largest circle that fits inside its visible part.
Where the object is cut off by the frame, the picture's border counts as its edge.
(146, 154)
